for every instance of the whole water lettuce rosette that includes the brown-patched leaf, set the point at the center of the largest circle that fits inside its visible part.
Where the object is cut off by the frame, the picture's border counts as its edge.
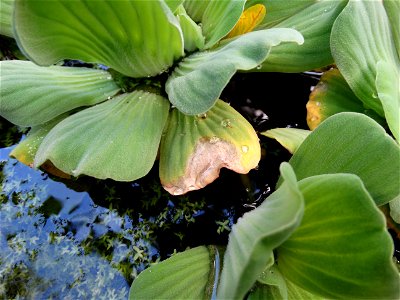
(108, 121)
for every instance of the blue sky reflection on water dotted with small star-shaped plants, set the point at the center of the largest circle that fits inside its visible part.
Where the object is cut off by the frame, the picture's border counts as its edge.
(50, 246)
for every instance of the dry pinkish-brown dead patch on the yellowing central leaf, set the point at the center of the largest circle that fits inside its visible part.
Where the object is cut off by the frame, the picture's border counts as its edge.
(205, 163)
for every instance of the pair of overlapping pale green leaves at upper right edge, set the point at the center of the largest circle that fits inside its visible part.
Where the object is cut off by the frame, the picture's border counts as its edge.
(364, 48)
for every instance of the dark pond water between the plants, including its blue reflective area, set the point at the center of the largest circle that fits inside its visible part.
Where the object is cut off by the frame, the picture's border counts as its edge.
(87, 238)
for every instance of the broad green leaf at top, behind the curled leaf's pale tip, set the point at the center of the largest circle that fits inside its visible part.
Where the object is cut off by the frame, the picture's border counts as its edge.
(314, 22)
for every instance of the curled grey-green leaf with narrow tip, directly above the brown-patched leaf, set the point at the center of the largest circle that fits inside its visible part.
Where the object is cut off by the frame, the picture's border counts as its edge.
(197, 82)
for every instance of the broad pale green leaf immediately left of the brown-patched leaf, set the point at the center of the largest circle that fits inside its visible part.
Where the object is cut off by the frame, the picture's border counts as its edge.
(111, 140)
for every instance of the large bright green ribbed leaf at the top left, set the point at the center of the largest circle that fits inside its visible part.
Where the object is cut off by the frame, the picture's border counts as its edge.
(124, 35)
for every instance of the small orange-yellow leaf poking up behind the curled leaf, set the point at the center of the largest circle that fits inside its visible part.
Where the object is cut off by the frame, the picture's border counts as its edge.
(249, 19)
